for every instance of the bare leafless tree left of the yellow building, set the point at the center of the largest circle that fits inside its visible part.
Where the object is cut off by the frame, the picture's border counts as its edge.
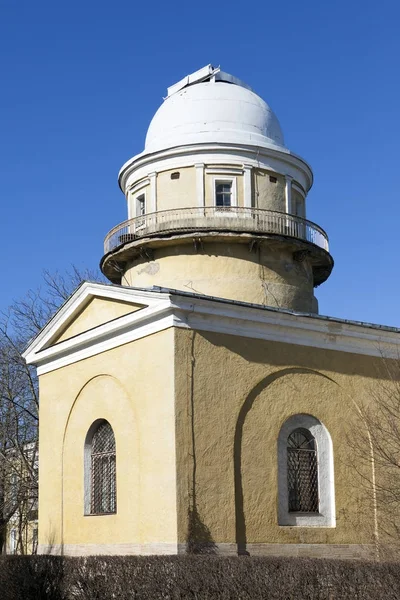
(19, 401)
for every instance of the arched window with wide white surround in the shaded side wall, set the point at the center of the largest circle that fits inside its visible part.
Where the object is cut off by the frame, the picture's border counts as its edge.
(306, 493)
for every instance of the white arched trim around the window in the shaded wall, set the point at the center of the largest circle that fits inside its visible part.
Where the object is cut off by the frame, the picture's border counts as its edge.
(326, 487)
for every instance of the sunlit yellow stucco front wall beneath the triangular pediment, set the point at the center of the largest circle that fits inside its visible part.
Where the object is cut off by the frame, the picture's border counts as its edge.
(133, 388)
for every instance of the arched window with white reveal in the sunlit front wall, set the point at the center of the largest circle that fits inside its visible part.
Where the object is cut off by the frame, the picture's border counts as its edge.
(100, 475)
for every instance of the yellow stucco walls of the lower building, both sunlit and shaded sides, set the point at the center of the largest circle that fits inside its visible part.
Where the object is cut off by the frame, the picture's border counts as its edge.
(196, 418)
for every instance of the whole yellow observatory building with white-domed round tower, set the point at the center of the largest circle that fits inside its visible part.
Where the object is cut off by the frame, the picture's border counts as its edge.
(198, 402)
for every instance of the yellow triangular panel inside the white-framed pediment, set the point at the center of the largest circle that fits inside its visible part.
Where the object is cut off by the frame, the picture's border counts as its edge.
(97, 311)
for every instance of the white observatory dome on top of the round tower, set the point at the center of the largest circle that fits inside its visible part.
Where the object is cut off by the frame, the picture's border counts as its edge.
(210, 106)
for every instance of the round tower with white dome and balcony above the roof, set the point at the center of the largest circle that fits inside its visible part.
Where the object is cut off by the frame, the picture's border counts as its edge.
(217, 203)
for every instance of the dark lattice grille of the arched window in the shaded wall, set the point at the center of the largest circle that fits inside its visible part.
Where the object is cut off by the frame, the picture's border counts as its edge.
(302, 471)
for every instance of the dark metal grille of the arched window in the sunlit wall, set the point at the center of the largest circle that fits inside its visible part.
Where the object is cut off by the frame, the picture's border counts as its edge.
(103, 473)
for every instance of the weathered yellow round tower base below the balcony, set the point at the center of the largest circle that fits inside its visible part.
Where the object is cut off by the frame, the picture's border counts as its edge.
(268, 275)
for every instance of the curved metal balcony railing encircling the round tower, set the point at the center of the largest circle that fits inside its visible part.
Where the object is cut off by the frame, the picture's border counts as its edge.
(213, 218)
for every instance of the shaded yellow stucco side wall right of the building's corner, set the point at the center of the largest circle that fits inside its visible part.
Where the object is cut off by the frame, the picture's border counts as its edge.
(232, 396)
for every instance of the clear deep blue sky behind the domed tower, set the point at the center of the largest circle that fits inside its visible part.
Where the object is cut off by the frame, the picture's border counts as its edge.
(81, 80)
